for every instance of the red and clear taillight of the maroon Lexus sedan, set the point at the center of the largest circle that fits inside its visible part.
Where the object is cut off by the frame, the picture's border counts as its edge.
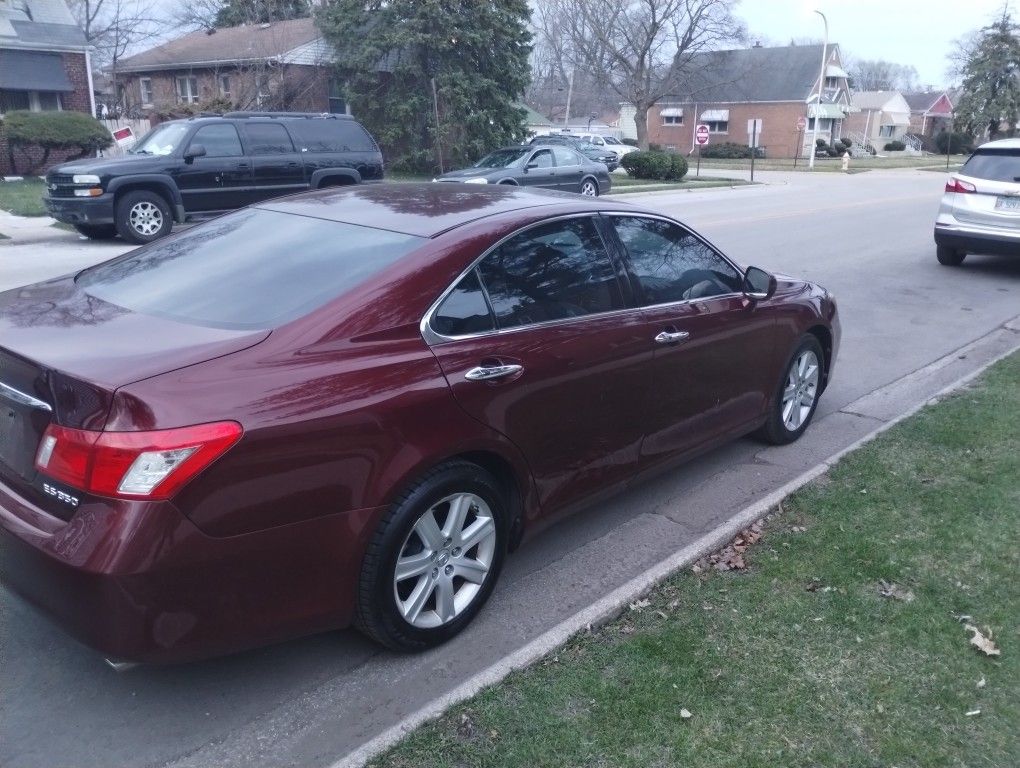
(133, 466)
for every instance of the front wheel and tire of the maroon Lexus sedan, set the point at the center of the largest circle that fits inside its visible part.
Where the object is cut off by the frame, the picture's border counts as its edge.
(796, 398)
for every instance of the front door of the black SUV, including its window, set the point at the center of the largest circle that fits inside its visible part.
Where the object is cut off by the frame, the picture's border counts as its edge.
(220, 180)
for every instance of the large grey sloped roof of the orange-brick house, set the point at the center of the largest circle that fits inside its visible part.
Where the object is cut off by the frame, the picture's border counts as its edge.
(787, 74)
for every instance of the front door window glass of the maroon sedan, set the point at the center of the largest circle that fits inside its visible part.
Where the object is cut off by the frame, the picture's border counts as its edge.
(673, 265)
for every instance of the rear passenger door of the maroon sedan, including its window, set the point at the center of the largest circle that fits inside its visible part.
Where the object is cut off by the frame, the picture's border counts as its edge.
(548, 356)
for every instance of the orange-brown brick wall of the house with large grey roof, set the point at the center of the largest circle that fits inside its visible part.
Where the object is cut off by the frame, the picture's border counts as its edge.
(780, 135)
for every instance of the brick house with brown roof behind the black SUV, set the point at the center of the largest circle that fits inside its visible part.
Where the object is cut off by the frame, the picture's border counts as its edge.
(283, 66)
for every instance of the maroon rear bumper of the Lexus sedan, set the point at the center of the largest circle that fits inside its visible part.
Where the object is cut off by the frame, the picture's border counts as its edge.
(139, 582)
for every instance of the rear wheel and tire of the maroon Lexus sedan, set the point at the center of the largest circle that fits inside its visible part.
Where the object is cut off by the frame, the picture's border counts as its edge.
(435, 559)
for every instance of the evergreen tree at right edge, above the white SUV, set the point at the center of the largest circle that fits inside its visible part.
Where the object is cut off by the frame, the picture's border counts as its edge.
(991, 100)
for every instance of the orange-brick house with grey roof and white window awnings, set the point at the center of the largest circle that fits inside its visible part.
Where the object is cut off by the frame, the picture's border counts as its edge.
(776, 86)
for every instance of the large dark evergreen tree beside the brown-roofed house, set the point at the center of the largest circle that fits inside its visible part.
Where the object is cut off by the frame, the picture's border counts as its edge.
(400, 61)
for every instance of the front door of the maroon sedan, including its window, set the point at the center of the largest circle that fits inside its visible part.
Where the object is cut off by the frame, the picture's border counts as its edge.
(711, 374)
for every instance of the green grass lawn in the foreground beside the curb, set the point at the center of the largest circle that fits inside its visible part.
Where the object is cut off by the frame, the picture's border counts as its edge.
(799, 659)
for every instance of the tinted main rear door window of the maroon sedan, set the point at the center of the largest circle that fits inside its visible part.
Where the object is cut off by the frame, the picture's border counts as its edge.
(552, 272)
